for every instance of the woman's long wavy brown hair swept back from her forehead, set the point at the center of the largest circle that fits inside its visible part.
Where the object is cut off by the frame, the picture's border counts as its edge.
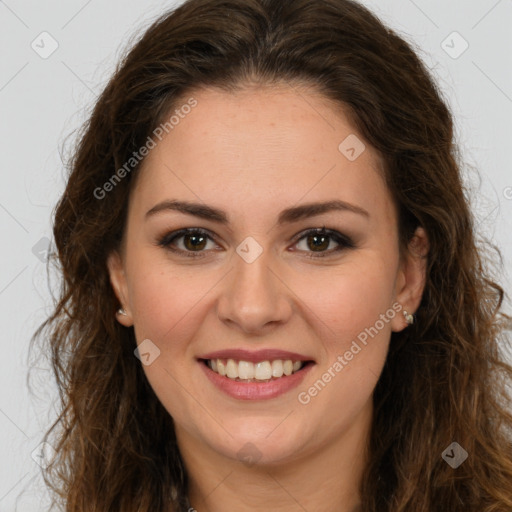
(444, 379)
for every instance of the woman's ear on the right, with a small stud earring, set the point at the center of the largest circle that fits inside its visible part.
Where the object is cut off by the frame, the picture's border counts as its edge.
(411, 278)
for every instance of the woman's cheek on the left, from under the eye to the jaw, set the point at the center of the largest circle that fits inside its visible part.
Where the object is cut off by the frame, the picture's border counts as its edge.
(168, 309)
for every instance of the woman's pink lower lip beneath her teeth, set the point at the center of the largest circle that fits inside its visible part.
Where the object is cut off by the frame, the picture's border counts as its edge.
(256, 390)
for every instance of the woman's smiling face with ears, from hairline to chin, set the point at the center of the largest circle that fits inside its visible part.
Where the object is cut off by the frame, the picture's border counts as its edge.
(255, 285)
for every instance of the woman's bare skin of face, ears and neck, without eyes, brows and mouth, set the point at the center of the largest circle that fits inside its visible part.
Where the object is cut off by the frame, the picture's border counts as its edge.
(252, 154)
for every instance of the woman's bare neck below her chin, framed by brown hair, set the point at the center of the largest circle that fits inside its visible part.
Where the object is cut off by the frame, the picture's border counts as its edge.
(326, 478)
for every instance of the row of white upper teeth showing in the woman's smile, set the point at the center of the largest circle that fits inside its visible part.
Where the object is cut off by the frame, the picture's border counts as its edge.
(248, 371)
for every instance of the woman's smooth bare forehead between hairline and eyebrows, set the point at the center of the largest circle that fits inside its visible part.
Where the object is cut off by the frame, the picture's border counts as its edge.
(275, 146)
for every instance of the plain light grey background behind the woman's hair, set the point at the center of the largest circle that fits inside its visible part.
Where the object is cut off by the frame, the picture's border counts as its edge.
(43, 98)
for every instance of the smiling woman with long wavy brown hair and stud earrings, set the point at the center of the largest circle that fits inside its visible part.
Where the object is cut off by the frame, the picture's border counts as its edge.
(273, 298)
